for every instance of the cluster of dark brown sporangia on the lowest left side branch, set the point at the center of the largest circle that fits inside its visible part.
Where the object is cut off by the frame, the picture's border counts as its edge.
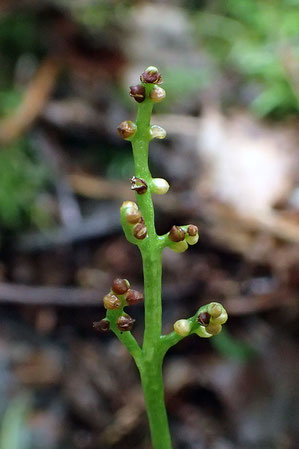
(121, 295)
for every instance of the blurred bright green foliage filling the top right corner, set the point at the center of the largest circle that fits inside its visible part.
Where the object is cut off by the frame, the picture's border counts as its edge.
(259, 40)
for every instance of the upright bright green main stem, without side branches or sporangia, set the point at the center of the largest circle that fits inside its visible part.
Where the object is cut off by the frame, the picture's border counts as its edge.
(150, 247)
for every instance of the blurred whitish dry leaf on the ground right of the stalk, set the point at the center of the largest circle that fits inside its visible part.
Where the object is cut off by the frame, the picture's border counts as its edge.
(249, 165)
